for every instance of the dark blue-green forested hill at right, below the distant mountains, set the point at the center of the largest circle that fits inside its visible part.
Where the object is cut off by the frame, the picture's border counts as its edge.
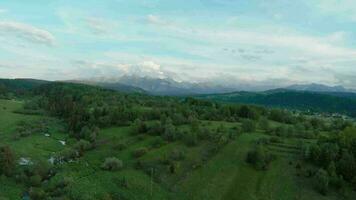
(343, 103)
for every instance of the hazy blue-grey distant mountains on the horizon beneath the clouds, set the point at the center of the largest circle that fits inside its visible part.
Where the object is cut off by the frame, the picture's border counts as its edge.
(170, 87)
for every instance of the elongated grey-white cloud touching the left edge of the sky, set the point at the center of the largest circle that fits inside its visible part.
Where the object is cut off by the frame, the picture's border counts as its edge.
(26, 32)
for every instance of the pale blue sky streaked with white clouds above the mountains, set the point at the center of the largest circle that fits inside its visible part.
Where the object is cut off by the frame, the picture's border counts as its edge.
(225, 41)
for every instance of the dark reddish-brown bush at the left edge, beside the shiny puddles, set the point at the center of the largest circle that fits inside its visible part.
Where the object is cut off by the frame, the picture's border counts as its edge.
(7, 161)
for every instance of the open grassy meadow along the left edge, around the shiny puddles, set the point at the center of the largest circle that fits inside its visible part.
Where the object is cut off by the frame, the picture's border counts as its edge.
(36, 146)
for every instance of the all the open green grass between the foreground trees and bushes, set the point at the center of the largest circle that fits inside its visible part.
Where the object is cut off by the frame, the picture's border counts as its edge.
(220, 176)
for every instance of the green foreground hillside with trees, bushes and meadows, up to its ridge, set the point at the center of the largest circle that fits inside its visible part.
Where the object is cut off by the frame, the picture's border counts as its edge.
(73, 141)
